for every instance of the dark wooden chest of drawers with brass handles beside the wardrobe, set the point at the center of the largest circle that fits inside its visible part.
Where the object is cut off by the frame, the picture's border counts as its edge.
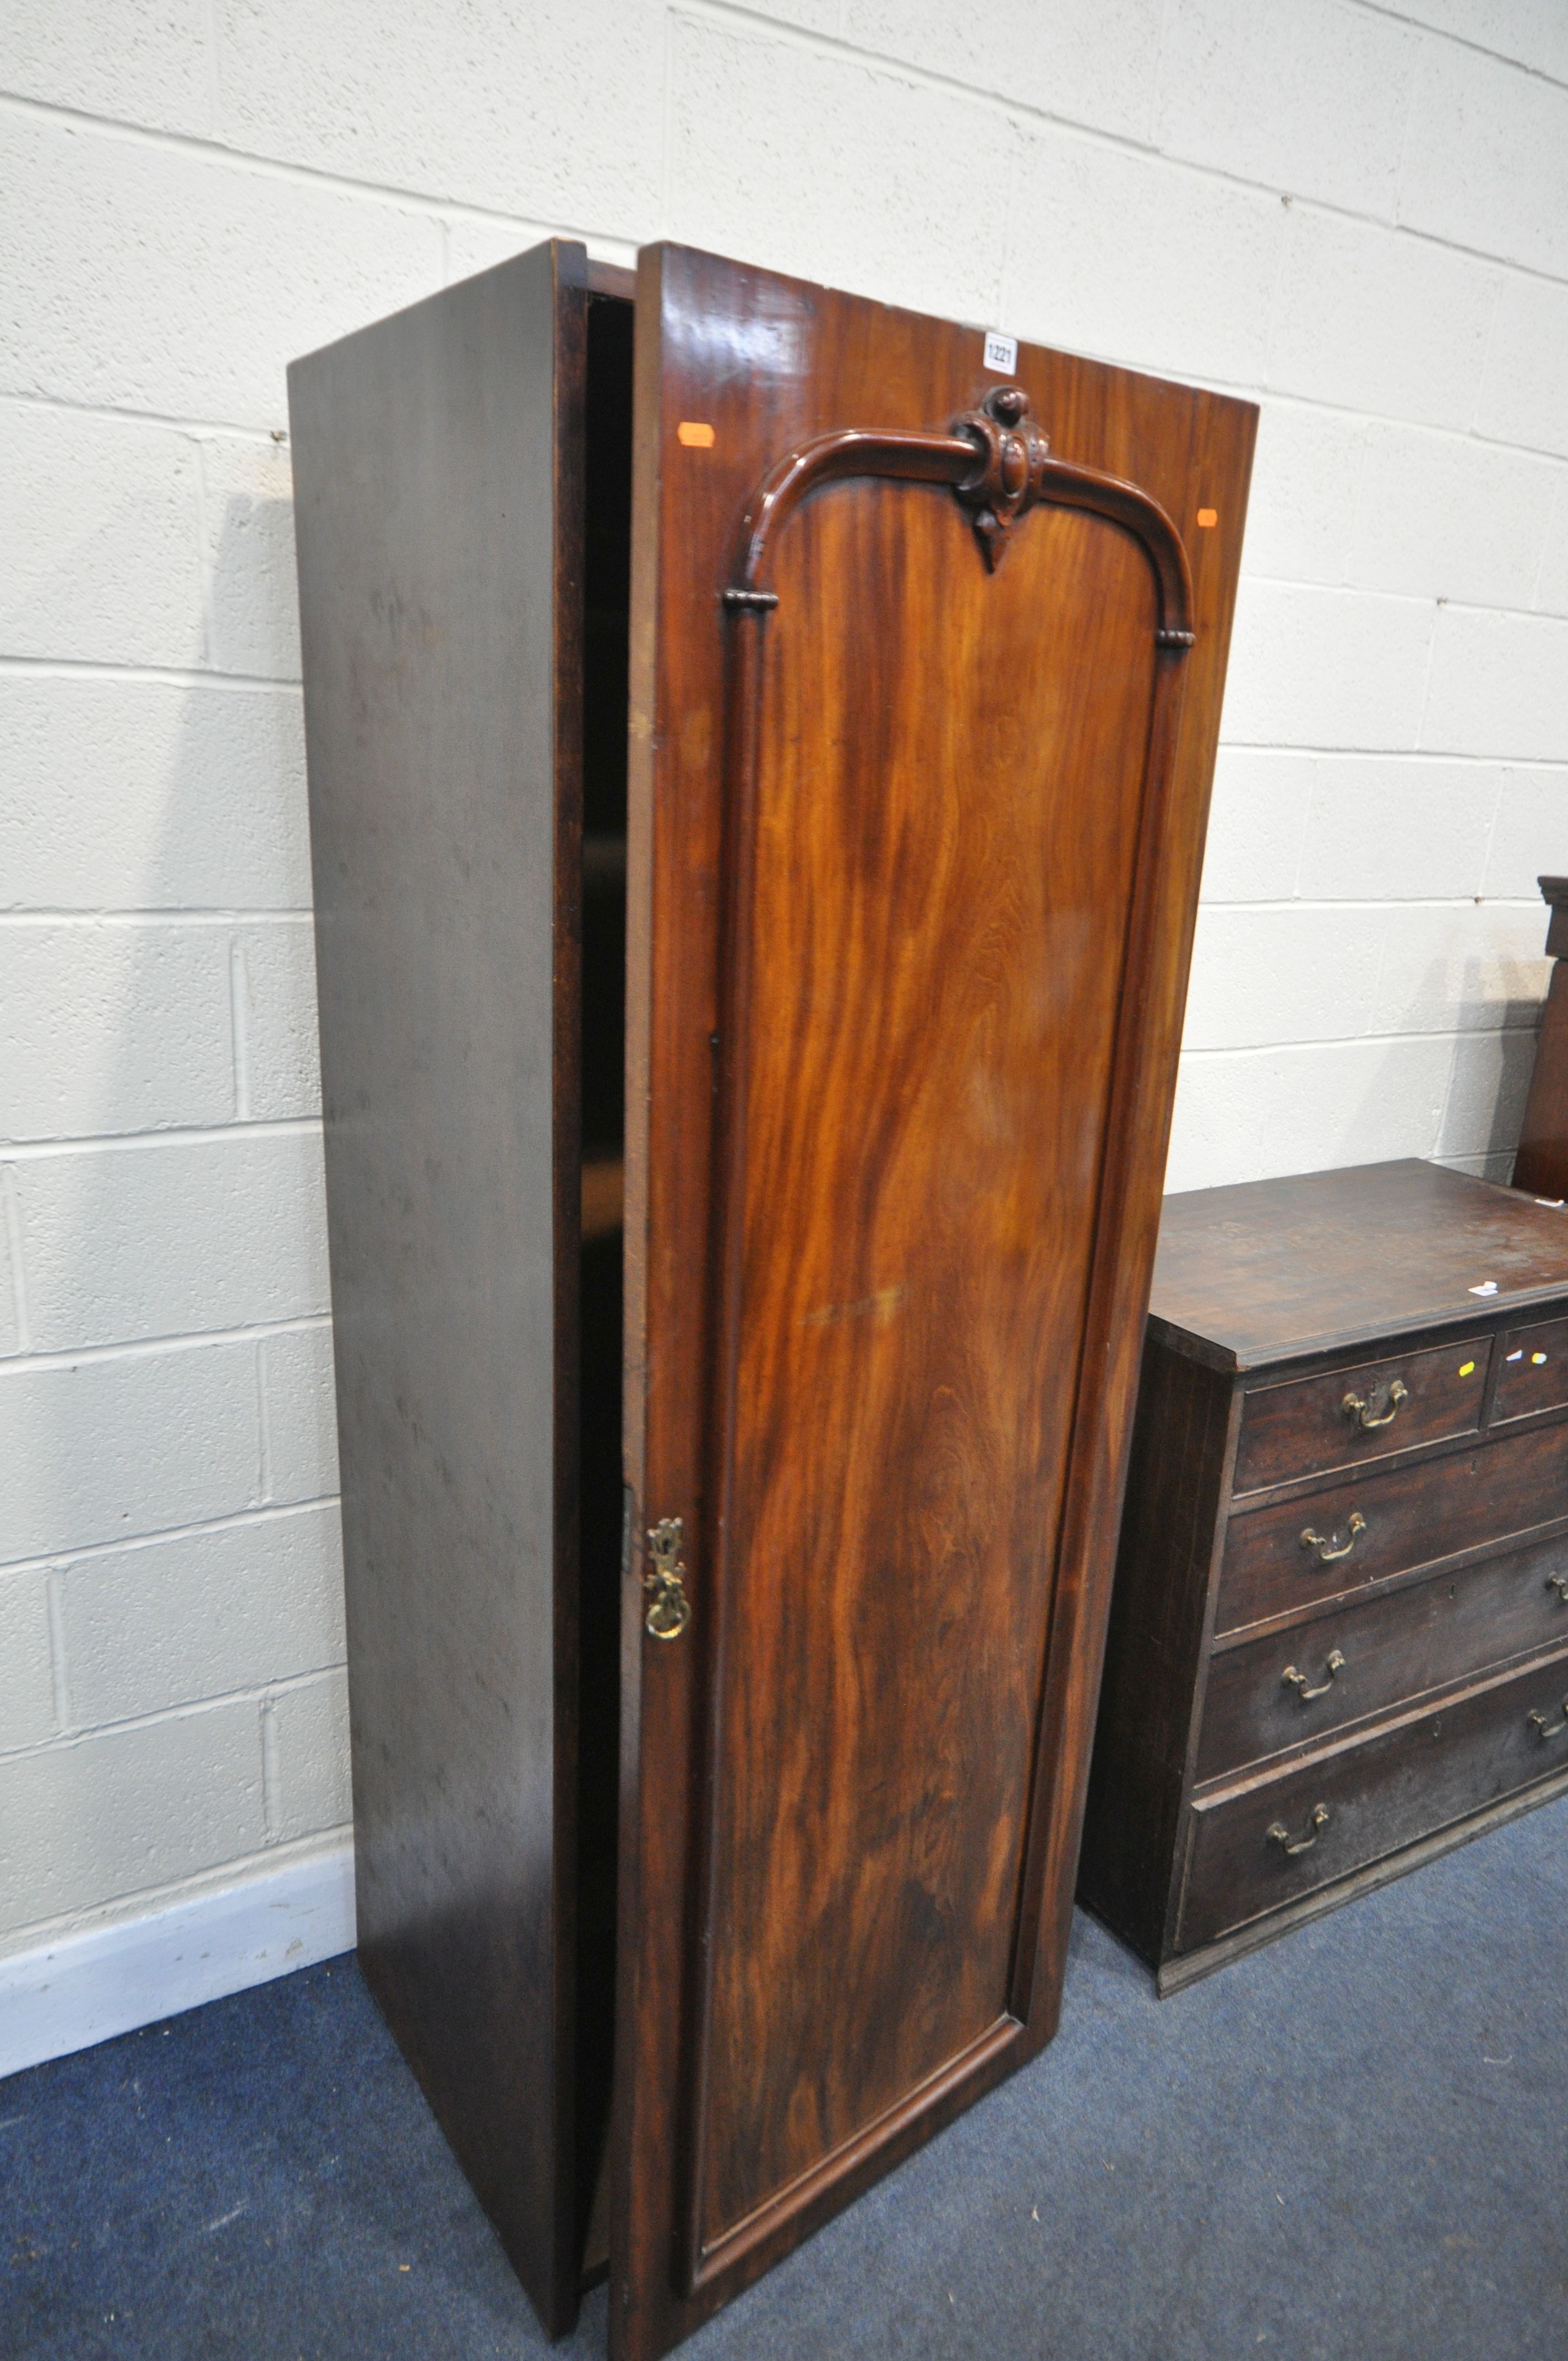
(1340, 1628)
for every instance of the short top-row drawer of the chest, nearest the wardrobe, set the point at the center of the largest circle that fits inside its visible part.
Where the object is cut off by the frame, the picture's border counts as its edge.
(1345, 1418)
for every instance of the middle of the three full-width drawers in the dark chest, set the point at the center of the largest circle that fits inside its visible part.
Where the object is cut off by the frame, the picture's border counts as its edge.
(1357, 1661)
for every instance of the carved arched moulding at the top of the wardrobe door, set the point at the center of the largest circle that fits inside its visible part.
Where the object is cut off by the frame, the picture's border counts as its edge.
(1000, 466)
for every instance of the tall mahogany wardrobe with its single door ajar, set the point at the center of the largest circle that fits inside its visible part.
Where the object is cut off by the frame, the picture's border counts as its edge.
(757, 783)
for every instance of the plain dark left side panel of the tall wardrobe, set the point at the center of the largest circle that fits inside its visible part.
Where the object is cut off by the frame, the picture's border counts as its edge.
(440, 518)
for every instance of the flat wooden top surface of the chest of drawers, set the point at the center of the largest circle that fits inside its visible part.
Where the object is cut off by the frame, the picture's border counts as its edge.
(1283, 1269)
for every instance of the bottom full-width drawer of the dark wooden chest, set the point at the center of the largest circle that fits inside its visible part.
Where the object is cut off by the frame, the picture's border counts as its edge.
(1276, 1840)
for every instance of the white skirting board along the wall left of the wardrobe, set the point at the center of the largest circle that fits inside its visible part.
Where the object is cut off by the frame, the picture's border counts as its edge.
(89, 1987)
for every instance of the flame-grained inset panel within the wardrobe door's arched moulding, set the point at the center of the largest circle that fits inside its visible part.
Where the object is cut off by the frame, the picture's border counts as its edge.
(936, 948)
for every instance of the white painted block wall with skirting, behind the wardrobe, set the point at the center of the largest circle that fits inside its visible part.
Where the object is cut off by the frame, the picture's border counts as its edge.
(1352, 211)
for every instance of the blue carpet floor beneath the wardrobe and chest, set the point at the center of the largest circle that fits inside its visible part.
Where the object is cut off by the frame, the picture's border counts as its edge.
(1345, 2150)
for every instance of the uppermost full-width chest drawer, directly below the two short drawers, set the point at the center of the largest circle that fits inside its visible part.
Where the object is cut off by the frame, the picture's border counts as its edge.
(1371, 1526)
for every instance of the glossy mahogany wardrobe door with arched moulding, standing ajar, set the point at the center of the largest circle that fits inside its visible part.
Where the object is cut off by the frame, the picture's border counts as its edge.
(927, 667)
